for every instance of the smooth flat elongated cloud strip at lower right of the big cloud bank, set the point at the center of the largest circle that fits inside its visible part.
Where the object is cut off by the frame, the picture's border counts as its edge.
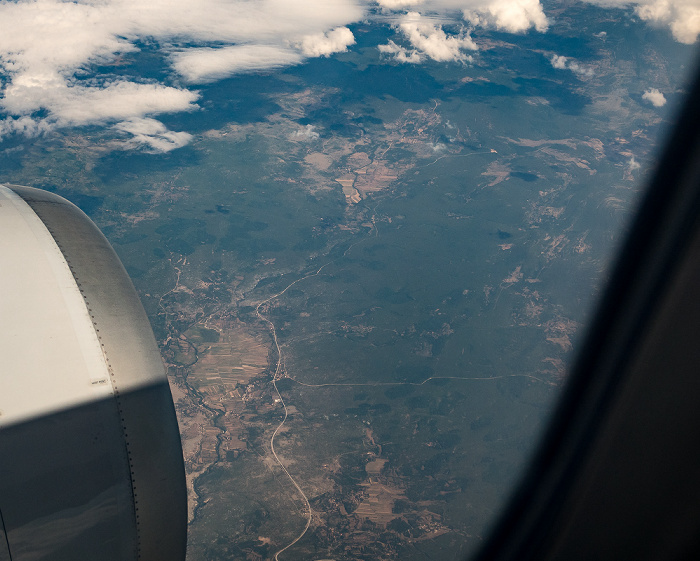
(207, 64)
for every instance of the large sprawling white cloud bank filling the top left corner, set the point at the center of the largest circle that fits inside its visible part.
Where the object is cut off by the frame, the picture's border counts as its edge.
(44, 44)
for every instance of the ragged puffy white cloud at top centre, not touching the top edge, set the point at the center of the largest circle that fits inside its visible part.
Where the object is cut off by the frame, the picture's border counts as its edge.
(430, 40)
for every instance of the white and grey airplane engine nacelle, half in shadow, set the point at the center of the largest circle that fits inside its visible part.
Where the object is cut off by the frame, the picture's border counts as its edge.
(91, 462)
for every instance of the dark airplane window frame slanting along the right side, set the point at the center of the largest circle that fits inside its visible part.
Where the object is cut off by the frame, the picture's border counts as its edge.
(544, 519)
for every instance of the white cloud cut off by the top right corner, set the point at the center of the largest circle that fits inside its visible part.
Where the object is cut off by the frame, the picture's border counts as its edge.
(682, 17)
